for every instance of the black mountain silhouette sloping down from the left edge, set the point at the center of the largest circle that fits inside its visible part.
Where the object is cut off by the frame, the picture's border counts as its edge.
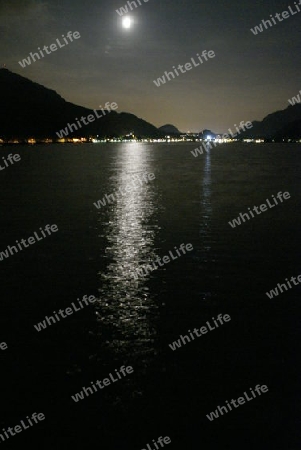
(29, 109)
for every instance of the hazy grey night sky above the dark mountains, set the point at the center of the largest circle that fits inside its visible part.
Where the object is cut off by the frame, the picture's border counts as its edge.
(250, 76)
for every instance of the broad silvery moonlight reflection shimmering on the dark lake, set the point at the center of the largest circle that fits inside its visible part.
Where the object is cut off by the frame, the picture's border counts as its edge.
(126, 308)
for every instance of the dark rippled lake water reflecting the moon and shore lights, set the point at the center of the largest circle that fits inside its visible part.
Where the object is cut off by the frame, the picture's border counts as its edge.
(97, 251)
